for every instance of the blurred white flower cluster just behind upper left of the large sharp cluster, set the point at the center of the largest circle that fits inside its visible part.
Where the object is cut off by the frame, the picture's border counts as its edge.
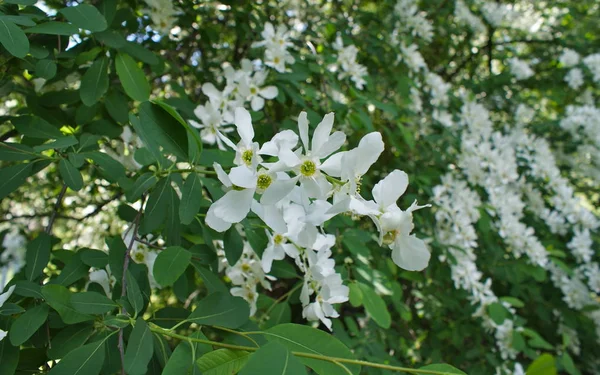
(245, 85)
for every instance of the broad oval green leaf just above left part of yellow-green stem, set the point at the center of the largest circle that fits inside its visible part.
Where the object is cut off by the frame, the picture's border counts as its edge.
(221, 309)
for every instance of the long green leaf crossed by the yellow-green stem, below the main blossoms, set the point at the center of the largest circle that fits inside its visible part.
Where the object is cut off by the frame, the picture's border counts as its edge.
(309, 340)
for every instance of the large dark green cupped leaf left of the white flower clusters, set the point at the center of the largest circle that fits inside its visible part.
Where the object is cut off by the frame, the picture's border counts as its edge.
(157, 128)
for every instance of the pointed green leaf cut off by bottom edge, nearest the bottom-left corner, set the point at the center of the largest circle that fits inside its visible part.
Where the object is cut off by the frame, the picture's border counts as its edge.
(86, 360)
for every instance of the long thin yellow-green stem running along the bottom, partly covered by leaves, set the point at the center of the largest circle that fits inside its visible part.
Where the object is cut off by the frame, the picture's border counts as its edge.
(336, 360)
